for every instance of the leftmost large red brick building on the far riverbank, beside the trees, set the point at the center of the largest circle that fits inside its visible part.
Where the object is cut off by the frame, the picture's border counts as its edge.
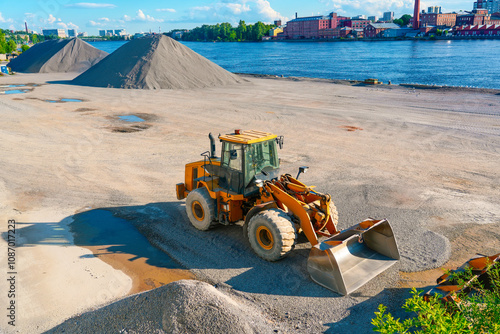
(309, 27)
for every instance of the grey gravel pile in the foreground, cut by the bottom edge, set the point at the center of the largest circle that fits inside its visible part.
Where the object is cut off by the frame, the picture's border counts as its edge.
(186, 306)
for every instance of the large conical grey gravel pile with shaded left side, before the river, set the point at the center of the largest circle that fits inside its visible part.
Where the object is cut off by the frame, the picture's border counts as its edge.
(156, 62)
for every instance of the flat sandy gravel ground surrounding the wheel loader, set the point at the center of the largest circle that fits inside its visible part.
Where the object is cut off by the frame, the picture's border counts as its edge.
(425, 159)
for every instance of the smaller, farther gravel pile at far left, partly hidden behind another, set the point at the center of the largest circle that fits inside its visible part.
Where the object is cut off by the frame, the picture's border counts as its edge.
(63, 55)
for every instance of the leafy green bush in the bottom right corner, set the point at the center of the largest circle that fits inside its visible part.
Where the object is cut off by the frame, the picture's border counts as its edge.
(478, 312)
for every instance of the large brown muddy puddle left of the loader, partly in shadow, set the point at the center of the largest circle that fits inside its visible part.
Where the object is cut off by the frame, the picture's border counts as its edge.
(117, 242)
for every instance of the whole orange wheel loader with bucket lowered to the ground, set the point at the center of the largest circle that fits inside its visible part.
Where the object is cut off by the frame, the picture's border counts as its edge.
(245, 184)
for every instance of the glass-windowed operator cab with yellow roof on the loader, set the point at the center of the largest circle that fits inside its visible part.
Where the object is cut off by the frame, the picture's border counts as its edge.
(247, 156)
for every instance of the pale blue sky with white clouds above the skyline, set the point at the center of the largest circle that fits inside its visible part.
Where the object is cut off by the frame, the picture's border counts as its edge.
(145, 15)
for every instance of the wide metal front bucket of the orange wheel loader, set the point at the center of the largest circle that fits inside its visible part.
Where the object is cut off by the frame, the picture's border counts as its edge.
(348, 260)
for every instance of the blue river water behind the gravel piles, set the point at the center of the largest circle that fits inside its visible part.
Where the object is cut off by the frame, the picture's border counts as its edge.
(466, 63)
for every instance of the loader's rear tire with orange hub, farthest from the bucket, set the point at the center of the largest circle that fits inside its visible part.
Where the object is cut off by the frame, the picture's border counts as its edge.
(200, 208)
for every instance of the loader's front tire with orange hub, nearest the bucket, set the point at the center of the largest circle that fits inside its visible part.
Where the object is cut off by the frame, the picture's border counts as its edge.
(271, 234)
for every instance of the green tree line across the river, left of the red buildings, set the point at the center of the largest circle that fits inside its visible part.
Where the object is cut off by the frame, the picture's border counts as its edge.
(225, 32)
